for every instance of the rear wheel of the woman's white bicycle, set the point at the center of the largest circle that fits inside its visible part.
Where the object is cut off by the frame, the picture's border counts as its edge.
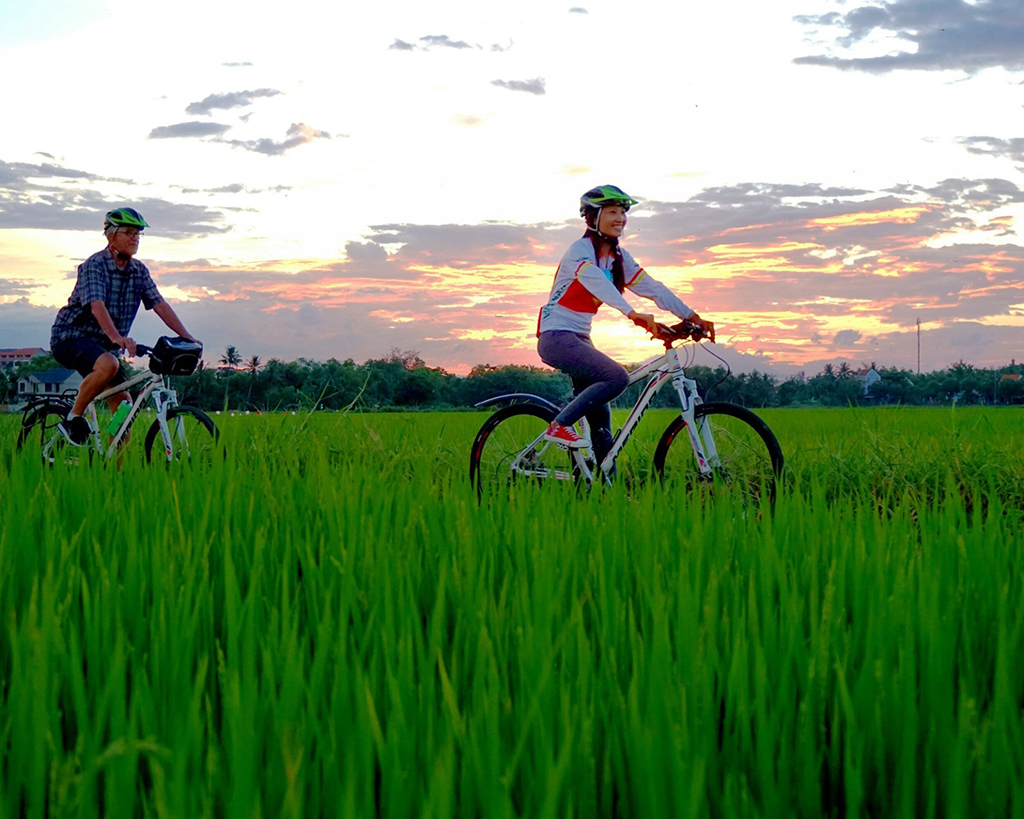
(502, 442)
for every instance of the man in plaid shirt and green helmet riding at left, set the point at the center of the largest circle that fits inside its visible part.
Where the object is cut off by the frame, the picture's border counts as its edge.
(94, 327)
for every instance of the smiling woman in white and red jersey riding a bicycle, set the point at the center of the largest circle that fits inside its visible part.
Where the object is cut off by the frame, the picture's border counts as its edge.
(596, 271)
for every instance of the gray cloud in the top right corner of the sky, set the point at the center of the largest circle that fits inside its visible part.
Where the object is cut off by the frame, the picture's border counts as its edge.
(924, 35)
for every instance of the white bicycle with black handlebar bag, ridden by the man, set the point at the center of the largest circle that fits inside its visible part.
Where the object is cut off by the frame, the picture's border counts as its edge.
(182, 434)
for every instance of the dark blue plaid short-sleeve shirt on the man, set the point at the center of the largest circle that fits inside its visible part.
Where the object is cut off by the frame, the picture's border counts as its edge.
(120, 291)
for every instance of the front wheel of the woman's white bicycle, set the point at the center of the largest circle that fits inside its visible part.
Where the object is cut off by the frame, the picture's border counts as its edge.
(750, 459)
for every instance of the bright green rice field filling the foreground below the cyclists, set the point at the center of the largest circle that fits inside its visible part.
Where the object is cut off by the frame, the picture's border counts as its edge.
(328, 624)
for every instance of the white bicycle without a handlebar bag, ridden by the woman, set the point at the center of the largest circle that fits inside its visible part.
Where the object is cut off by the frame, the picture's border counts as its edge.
(723, 446)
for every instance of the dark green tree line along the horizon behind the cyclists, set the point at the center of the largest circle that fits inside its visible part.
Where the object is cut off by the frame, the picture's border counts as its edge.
(401, 380)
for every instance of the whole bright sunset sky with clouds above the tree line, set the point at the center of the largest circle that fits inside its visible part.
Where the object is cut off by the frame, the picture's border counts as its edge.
(338, 180)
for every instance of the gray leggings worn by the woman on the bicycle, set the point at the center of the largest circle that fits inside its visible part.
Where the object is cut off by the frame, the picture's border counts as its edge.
(596, 380)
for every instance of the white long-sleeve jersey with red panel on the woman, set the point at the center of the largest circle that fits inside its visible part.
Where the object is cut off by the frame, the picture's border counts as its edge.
(583, 283)
